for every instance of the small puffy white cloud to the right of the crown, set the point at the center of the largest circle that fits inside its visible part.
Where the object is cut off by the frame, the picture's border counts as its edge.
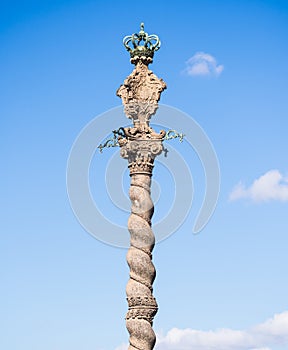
(203, 64)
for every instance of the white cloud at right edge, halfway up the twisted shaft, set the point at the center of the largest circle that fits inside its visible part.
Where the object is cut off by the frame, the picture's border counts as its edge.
(270, 186)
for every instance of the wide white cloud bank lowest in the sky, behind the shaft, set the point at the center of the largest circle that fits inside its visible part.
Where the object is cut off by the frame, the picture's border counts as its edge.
(264, 336)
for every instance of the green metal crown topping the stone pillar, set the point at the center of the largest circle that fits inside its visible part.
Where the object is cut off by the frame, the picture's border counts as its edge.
(143, 46)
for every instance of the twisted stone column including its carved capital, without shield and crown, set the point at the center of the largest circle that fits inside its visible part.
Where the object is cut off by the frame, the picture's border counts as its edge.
(142, 305)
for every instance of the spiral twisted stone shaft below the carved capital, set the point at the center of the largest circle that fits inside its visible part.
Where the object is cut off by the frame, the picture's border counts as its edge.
(142, 304)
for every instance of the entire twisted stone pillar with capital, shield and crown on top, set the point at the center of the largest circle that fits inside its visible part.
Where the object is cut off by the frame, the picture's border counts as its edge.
(140, 144)
